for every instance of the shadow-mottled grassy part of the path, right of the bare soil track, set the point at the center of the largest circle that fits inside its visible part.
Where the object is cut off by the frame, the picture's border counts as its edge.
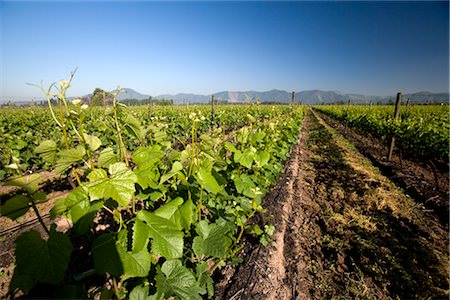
(369, 251)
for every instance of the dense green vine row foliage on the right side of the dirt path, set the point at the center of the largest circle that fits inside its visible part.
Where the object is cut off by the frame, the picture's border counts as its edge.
(421, 131)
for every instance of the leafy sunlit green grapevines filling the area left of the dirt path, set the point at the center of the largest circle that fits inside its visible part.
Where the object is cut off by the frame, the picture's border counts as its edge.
(177, 195)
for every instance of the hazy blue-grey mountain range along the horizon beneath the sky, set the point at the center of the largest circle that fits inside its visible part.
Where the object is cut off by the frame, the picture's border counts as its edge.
(280, 96)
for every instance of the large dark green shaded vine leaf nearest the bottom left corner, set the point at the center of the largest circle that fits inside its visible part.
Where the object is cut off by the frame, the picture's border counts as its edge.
(40, 260)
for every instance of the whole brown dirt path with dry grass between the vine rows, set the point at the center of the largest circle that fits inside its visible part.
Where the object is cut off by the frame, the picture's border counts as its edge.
(343, 230)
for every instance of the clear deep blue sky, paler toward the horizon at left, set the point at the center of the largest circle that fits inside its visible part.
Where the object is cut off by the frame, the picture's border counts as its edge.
(373, 48)
